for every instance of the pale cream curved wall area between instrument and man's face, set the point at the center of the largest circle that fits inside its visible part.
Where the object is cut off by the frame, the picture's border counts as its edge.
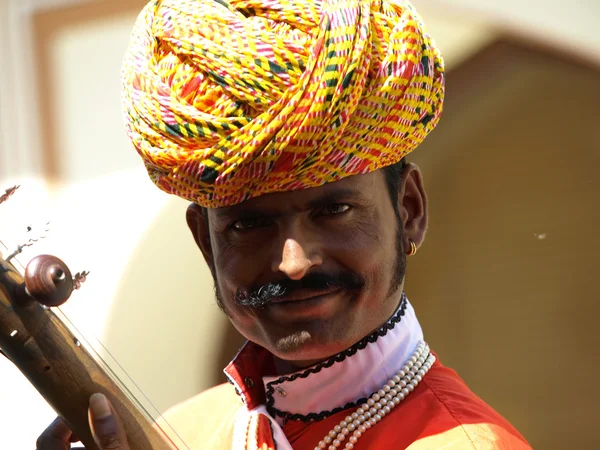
(165, 301)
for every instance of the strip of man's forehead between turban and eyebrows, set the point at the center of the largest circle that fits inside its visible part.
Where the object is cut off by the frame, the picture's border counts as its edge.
(353, 187)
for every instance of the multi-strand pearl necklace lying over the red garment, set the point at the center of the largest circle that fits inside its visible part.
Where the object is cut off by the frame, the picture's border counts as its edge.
(381, 402)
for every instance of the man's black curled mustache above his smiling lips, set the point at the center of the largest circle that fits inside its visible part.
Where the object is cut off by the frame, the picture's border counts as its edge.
(261, 296)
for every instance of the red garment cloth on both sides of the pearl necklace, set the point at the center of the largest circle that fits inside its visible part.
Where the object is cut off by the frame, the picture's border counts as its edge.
(441, 411)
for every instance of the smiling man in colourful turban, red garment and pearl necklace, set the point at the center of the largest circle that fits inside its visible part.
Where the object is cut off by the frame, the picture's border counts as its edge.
(286, 123)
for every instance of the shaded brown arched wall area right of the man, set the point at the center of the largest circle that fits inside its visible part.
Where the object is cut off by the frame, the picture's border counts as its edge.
(506, 284)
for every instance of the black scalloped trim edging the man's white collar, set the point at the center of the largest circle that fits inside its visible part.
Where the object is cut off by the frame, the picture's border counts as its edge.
(311, 417)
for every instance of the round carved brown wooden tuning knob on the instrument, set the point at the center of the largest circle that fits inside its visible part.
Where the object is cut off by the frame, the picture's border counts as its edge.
(48, 280)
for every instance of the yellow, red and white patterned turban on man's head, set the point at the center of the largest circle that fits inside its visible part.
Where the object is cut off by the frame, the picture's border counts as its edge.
(226, 100)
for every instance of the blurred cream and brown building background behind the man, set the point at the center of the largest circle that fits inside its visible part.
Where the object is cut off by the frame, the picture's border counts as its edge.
(505, 286)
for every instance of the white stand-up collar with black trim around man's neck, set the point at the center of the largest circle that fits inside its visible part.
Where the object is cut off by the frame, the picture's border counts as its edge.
(348, 378)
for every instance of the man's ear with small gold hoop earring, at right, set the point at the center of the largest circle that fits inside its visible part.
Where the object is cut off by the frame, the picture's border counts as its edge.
(412, 204)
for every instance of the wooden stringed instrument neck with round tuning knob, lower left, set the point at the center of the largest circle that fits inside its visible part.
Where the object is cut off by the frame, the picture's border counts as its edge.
(54, 360)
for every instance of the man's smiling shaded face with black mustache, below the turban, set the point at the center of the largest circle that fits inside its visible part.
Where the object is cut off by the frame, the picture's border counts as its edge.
(308, 273)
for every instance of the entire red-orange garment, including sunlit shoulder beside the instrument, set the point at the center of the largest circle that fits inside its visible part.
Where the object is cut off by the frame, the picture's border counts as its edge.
(440, 413)
